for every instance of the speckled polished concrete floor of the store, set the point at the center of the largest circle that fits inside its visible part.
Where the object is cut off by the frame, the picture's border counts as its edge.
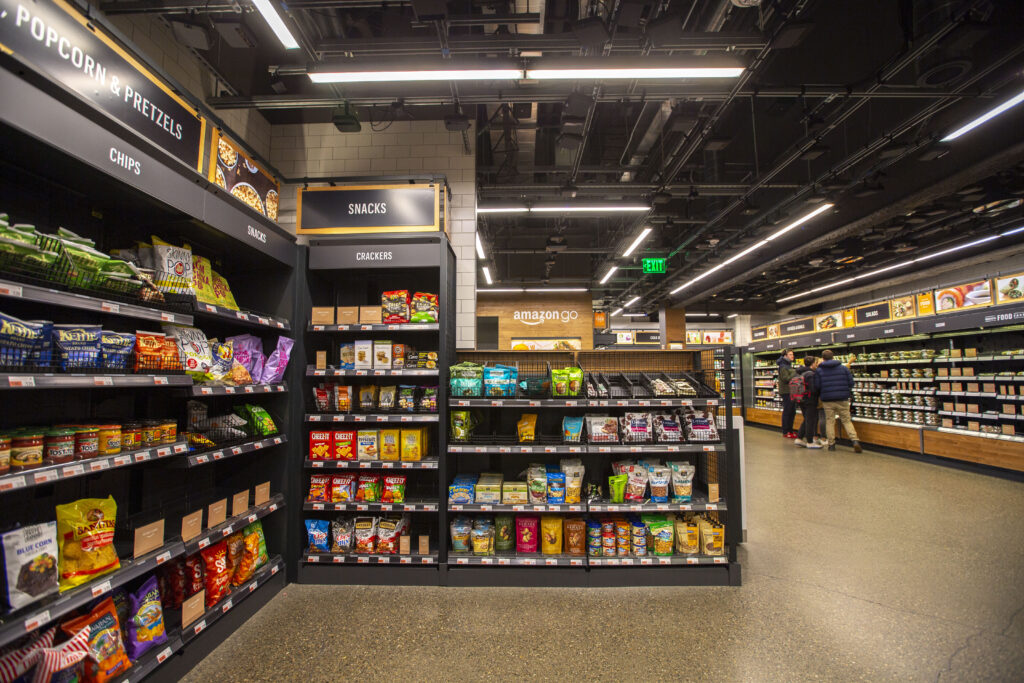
(857, 568)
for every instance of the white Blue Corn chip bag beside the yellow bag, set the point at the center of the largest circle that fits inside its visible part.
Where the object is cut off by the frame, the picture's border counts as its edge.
(30, 557)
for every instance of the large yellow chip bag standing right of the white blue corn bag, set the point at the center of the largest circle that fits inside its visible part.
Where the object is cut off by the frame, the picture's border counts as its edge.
(86, 539)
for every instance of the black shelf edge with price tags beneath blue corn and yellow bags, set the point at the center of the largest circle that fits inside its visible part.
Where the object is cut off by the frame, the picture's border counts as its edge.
(49, 611)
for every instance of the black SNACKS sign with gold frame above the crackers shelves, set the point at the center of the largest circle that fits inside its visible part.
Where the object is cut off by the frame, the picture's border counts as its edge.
(409, 208)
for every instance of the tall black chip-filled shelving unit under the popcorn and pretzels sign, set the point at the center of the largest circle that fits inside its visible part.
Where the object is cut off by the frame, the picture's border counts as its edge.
(146, 369)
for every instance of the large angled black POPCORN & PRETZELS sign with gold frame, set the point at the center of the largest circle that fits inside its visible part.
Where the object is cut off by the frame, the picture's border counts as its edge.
(61, 44)
